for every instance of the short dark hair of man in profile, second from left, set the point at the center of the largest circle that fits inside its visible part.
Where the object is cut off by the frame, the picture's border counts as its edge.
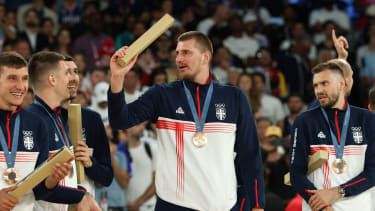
(41, 64)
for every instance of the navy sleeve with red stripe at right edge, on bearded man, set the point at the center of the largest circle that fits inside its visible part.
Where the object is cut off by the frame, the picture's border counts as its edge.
(366, 179)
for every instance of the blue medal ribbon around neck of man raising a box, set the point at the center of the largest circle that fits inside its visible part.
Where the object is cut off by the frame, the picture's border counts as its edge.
(199, 124)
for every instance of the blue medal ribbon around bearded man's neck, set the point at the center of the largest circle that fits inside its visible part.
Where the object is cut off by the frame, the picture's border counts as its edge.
(339, 148)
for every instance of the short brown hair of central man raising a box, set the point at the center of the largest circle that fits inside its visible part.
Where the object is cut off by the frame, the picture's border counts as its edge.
(204, 42)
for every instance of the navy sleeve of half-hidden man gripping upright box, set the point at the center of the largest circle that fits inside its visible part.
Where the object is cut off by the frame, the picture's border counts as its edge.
(101, 170)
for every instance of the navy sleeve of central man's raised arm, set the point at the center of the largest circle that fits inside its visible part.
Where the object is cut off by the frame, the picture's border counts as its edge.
(123, 116)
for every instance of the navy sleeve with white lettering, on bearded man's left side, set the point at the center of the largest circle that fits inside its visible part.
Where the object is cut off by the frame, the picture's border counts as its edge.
(299, 153)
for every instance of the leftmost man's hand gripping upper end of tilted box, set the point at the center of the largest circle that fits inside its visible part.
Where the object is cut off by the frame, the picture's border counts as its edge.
(59, 172)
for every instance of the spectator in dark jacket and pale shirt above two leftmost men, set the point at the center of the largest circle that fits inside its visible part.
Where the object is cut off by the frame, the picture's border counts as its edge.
(31, 33)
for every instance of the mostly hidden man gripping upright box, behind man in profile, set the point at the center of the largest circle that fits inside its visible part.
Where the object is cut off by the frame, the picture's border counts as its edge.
(93, 150)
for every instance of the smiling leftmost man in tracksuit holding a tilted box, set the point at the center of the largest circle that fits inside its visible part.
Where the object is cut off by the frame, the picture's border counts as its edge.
(24, 144)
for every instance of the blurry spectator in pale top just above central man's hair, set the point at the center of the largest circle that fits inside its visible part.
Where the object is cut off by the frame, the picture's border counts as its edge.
(219, 17)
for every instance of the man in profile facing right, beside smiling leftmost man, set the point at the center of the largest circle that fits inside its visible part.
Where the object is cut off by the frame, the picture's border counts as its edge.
(50, 80)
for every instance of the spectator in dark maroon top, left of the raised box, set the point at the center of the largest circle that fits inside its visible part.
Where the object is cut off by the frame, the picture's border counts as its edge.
(90, 42)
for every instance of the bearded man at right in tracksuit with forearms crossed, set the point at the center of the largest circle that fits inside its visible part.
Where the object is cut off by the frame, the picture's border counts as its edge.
(347, 133)
